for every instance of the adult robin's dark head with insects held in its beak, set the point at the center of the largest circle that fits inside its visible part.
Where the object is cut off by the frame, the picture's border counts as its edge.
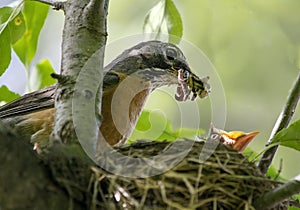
(162, 64)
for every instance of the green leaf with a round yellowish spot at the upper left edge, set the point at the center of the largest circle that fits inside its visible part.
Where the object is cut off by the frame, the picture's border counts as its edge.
(12, 27)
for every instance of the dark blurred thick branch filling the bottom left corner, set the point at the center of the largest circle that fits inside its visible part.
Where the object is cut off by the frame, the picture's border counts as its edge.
(25, 183)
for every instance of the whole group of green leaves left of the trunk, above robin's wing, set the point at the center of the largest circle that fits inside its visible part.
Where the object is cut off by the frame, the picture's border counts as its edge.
(20, 28)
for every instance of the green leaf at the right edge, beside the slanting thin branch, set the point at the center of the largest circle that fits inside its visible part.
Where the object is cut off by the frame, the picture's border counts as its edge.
(289, 137)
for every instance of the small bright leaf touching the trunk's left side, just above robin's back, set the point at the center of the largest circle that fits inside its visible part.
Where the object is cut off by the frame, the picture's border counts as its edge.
(40, 76)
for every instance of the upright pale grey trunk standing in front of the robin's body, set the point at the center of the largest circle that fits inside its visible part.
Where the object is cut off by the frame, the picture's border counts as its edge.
(84, 39)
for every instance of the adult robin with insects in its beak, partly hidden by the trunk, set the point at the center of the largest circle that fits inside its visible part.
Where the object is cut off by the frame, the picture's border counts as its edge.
(132, 76)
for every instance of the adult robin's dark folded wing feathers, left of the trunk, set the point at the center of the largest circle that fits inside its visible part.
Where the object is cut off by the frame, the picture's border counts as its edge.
(31, 102)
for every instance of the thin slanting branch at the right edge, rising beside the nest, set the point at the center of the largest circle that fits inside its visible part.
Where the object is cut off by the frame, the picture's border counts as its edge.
(282, 122)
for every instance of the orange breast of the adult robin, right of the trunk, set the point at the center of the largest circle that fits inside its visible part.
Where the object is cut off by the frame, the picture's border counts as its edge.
(121, 108)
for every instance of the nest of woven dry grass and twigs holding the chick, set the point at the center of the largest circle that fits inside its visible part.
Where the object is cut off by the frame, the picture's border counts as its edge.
(226, 180)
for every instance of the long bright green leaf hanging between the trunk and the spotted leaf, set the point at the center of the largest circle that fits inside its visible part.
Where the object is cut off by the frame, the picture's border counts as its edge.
(35, 15)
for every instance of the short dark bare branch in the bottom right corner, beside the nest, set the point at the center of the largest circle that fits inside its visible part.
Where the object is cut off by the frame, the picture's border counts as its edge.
(278, 195)
